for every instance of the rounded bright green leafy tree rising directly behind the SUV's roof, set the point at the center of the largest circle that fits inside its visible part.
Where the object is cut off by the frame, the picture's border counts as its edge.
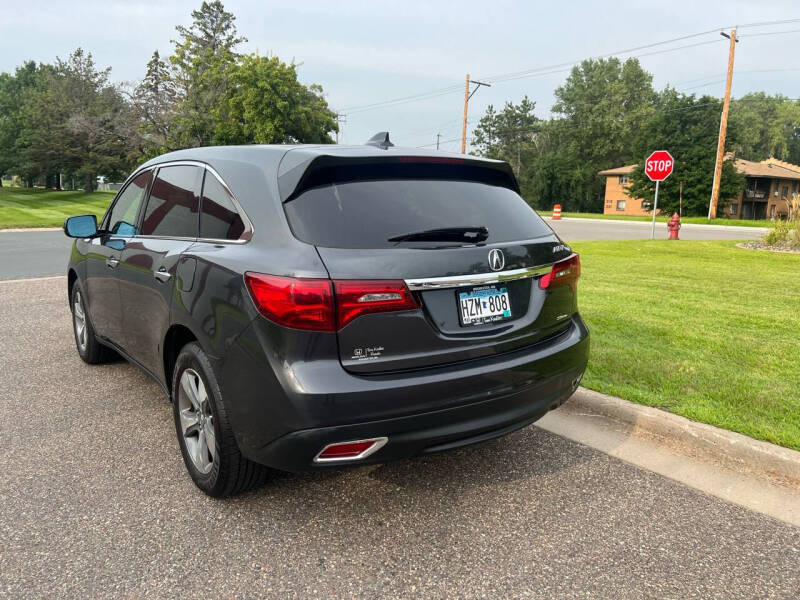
(268, 105)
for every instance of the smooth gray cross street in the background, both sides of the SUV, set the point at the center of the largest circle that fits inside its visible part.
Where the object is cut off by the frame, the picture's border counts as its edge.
(42, 253)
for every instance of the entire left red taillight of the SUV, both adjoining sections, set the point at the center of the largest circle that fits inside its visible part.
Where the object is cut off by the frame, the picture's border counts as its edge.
(322, 304)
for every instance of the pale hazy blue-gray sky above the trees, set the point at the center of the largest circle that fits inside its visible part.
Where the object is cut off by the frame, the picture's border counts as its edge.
(367, 52)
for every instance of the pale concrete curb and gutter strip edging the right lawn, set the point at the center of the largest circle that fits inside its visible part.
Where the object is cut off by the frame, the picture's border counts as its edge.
(759, 476)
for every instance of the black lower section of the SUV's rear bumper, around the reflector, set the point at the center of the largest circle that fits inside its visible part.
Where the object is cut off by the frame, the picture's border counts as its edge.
(424, 433)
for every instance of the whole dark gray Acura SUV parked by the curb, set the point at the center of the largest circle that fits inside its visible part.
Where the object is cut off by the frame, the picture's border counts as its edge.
(308, 307)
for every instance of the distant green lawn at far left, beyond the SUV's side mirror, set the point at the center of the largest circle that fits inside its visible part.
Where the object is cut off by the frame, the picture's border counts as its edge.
(21, 207)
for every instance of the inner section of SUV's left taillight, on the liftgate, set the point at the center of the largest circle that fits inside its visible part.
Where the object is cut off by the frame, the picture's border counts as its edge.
(355, 298)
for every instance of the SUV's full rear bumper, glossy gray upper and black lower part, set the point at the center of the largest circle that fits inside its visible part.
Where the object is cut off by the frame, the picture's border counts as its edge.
(283, 418)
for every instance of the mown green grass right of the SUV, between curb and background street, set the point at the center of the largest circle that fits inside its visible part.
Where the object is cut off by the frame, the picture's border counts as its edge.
(702, 329)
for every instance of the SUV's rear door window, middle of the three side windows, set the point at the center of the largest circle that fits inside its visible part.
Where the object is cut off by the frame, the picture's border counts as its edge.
(172, 209)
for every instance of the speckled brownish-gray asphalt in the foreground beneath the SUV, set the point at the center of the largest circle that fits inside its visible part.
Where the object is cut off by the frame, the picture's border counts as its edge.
(95, 502)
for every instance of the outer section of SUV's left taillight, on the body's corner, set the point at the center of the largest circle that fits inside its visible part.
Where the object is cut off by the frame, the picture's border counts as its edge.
(292, 302)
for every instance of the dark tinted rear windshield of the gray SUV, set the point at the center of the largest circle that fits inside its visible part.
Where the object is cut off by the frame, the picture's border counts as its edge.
(366, 214)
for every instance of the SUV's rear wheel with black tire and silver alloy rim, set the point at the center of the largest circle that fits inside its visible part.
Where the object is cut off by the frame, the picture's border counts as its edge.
(207, 443)
